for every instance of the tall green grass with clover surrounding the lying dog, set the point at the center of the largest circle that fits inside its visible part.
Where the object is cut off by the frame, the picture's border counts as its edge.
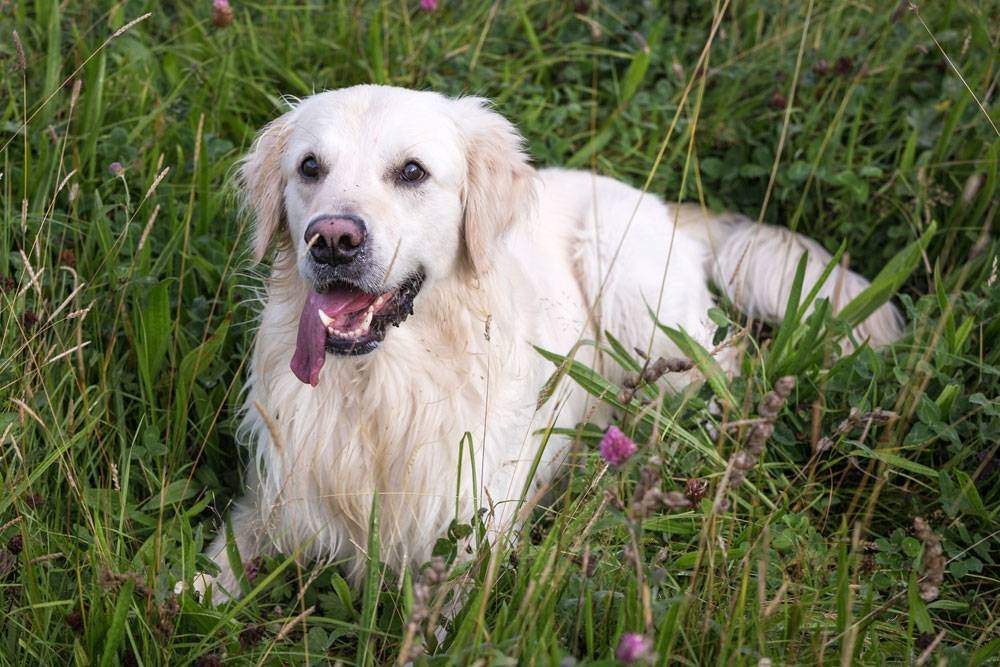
(127, 308)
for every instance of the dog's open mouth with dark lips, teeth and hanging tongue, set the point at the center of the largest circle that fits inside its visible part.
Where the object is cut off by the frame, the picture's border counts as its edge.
(344, 319)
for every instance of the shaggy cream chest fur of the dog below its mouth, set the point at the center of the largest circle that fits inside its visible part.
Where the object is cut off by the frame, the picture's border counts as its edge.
(403, 431)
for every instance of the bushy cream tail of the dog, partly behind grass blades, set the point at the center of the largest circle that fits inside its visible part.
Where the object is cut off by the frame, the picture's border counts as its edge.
(754, 265)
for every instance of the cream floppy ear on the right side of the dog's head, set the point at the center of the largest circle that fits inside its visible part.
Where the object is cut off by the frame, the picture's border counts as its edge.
(499, 189)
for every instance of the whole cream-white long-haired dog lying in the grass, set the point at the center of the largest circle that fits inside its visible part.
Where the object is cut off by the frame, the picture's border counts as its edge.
(393, 208)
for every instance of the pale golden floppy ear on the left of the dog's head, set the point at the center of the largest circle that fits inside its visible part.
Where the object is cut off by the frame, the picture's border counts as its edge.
(263, 184)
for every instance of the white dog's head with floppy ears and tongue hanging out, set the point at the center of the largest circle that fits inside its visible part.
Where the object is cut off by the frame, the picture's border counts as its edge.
(379, 192)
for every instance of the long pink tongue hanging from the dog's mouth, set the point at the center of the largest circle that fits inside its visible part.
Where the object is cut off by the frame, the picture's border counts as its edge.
(310, 345)
